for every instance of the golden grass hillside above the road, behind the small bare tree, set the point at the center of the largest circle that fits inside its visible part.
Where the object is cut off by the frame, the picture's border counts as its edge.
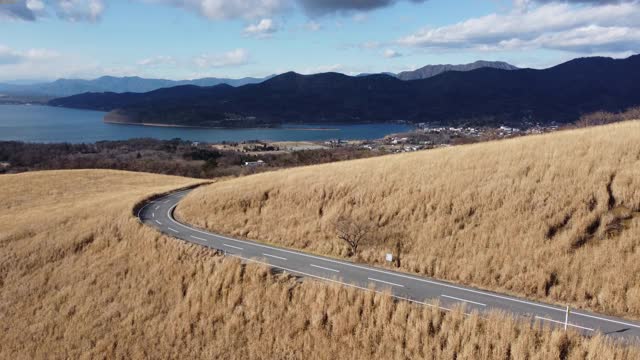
(552, 217)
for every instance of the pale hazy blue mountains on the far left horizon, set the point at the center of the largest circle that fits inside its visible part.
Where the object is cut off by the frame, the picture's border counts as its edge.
(67, 87)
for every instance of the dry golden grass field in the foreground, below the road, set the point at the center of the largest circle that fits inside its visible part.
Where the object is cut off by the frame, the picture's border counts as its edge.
(81, 278)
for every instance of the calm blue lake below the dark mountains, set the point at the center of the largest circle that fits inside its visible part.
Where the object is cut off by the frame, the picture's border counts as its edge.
(53, 124)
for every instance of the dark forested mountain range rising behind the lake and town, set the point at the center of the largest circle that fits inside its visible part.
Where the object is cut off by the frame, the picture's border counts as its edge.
(483, 96)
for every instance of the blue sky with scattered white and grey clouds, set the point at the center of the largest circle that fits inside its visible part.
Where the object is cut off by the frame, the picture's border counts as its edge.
(186, 39)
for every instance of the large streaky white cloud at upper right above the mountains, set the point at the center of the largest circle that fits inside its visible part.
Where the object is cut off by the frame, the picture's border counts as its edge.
(611, 27)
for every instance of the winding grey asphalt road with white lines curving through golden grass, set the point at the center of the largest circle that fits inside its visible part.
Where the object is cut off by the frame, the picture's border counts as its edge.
(159, 214)
